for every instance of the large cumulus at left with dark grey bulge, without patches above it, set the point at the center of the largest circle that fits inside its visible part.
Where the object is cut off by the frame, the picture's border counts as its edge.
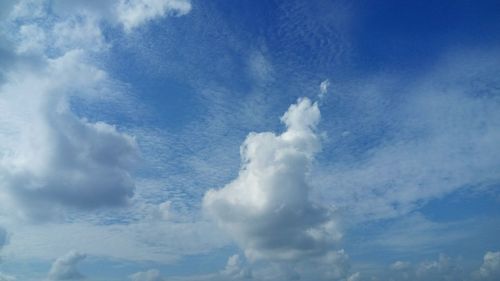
(49, 155)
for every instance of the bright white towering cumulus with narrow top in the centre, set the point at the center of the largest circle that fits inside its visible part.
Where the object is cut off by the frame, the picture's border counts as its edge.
(266, 208)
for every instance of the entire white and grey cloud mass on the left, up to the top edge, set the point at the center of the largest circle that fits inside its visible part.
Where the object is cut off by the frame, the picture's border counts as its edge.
(50, 158)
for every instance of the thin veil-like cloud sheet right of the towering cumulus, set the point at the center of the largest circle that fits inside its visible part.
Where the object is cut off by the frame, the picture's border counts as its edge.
(444, 137)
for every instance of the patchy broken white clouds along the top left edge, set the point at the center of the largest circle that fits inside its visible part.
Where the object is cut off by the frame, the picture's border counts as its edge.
(78, 24)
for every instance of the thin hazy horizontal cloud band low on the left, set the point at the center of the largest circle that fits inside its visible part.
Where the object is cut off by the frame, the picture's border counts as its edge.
(161, 242)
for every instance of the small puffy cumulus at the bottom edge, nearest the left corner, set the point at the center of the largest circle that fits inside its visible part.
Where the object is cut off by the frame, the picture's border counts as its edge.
(65, 267)
